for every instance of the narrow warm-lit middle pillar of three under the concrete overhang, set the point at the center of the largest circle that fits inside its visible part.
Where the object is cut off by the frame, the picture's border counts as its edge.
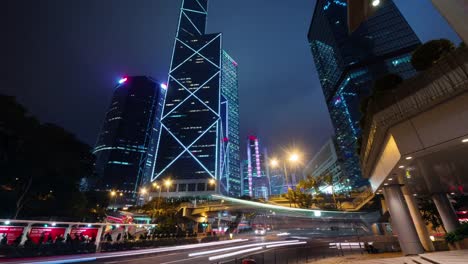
(421, 228)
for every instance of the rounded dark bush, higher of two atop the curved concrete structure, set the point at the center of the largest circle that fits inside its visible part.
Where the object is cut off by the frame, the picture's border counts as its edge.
(430, 52)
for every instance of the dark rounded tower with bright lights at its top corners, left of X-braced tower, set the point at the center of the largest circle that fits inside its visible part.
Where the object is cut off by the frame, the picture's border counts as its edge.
(123, 149)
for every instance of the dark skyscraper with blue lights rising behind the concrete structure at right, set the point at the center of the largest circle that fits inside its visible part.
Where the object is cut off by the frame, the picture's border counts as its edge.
(348, 63)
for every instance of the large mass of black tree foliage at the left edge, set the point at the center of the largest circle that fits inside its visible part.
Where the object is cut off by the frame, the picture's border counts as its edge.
(41, 165)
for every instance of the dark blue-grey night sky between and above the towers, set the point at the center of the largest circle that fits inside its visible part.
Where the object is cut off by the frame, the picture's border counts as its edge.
(62, 59)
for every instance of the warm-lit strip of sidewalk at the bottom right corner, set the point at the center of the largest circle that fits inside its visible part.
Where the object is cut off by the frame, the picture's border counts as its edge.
(443, 257)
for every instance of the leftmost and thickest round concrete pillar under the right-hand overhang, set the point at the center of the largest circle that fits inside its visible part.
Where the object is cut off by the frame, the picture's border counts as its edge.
(401, 220)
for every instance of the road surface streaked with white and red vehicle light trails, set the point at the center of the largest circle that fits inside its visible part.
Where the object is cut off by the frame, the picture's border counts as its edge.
(276, 247)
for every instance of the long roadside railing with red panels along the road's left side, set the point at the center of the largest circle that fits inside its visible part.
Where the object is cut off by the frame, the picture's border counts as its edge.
(29, 238)
